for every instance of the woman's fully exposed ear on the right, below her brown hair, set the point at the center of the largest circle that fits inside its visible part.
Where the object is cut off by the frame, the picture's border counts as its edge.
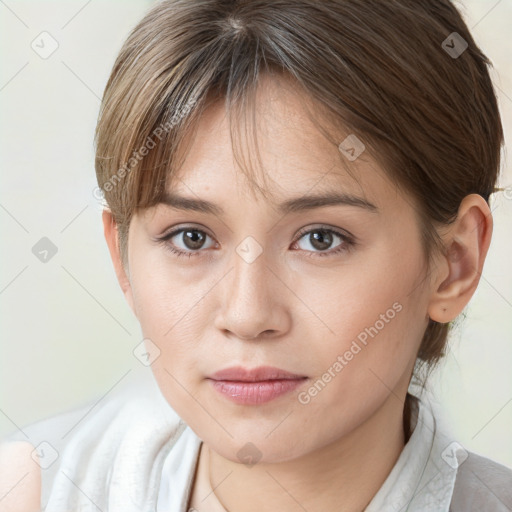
(467, 241)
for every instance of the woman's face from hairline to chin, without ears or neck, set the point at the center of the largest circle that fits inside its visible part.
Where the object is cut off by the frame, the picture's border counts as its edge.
(332, 293)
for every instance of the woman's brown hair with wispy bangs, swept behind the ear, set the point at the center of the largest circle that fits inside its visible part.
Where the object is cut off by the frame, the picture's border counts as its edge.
(381, 69)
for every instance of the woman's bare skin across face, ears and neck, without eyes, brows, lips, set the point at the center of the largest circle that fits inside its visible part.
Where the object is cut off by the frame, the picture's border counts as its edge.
(293, 309)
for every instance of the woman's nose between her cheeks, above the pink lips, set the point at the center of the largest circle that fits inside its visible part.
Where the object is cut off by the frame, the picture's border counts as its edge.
(253, 301)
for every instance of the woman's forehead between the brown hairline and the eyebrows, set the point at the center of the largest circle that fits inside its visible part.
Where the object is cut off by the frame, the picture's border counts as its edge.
(284, 152)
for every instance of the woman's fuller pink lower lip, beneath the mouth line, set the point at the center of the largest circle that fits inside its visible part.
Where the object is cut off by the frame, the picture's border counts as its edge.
(255, 392)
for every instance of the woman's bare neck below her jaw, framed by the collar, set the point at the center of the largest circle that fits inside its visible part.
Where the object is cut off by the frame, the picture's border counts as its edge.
(344, 475)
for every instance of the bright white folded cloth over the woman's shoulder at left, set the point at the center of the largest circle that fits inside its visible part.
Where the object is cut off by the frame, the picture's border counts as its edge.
(99, 446)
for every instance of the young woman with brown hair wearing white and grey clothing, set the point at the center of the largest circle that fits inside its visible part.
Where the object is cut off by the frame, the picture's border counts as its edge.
(296, 210)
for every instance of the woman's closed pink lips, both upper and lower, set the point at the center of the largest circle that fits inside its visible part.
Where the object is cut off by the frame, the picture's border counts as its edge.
(255, 386)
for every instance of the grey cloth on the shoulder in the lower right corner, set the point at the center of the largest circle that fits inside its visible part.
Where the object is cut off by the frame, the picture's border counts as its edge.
(482, 484)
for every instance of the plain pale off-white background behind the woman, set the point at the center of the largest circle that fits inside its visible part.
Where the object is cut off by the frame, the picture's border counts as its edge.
(67, 334)
